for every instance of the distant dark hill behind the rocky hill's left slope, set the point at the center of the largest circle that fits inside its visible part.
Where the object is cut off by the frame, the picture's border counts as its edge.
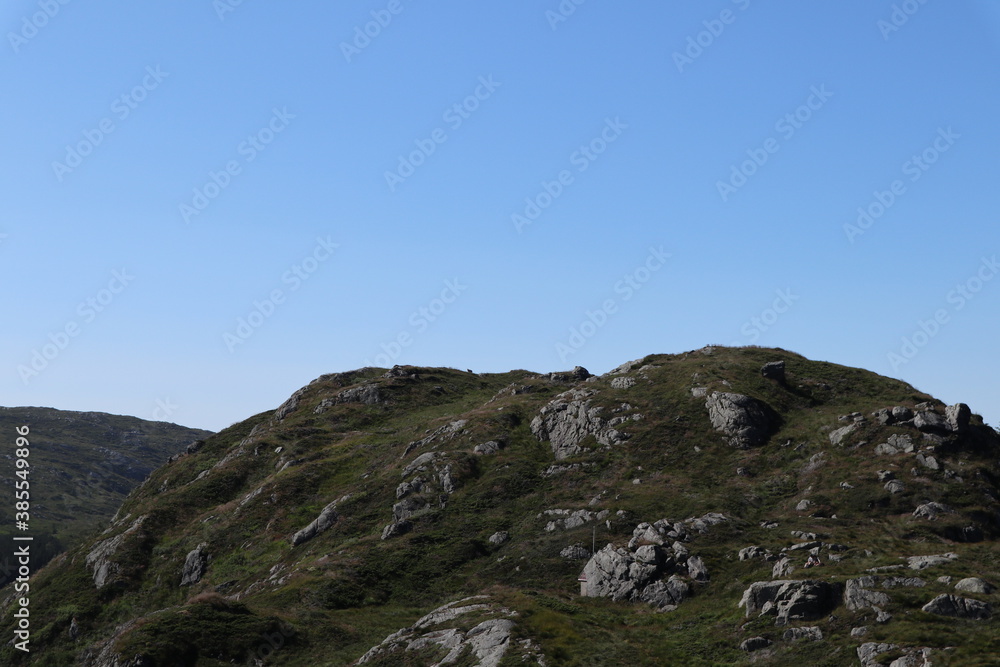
(83, 464)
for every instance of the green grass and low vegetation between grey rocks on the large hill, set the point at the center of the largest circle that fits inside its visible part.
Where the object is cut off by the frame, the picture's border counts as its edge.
(337, 595)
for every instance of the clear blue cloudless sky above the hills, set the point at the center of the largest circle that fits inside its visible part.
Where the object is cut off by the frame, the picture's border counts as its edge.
(208, 204)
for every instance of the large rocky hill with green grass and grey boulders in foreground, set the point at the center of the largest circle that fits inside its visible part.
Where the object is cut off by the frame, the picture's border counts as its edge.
(722, 506)
